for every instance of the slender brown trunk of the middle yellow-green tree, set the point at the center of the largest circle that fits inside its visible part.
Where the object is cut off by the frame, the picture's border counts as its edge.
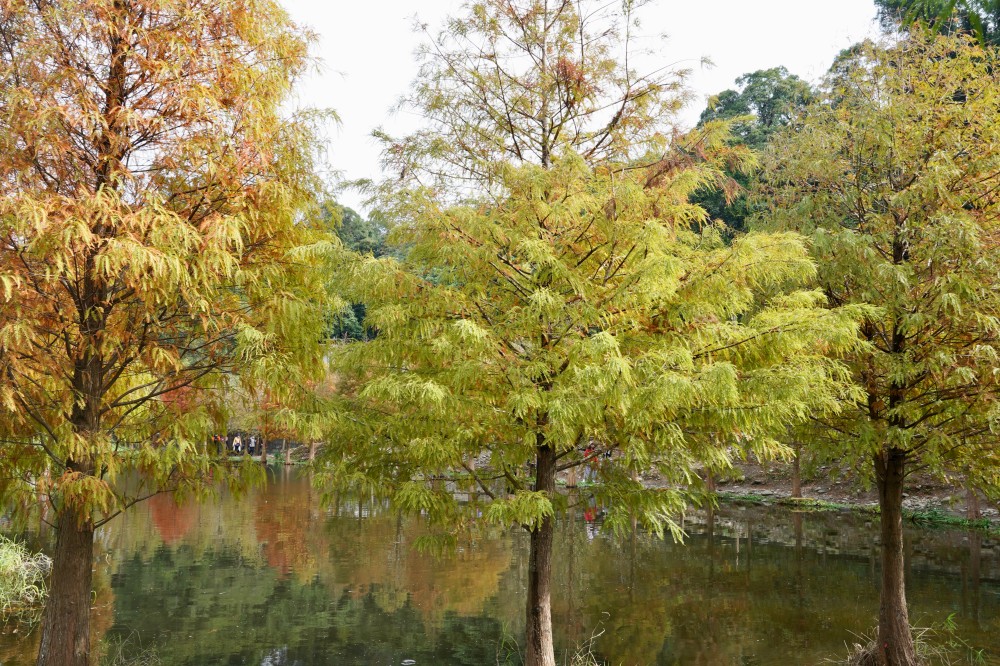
(539, 648)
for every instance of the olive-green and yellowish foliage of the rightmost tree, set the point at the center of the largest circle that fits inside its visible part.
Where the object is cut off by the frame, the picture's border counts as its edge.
(895, 179)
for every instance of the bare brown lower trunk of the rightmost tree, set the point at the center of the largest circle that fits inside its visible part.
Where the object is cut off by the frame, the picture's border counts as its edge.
(895, 641)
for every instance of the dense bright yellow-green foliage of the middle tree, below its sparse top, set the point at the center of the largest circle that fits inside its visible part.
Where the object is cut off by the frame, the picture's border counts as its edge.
(580, 309)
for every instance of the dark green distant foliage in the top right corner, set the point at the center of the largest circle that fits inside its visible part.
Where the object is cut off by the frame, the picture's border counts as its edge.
(978, 17)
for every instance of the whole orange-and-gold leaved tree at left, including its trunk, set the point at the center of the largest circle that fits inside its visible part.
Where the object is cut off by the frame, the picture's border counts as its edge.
(152, 244)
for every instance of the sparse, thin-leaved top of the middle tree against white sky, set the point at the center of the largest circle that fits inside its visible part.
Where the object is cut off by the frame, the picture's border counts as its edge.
(520, 81)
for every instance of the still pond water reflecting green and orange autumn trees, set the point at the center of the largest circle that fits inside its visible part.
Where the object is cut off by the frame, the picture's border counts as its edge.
(274, 578)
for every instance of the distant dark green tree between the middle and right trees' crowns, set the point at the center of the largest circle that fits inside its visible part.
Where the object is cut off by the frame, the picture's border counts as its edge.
(764, 102)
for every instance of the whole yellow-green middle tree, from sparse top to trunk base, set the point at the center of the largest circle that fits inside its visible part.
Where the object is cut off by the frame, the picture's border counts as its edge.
(560, 303)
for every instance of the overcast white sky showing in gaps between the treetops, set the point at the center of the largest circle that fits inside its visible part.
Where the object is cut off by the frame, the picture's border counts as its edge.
(367, 52)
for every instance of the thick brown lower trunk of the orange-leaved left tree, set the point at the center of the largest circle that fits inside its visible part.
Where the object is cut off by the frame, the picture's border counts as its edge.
(66, 624)
